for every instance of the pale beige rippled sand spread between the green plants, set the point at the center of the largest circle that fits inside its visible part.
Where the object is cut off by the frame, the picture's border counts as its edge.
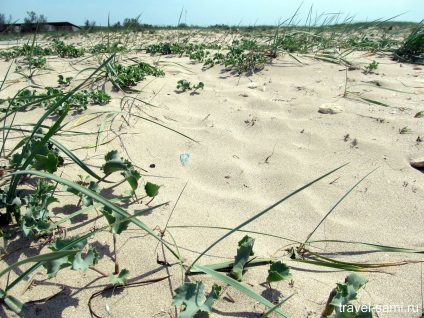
(250, 148)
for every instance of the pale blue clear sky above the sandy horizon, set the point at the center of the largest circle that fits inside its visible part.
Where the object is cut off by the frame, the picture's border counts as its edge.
(203, 12)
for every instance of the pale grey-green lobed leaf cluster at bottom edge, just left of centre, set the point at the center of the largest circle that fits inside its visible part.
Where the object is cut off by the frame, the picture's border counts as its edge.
(192, 297)
